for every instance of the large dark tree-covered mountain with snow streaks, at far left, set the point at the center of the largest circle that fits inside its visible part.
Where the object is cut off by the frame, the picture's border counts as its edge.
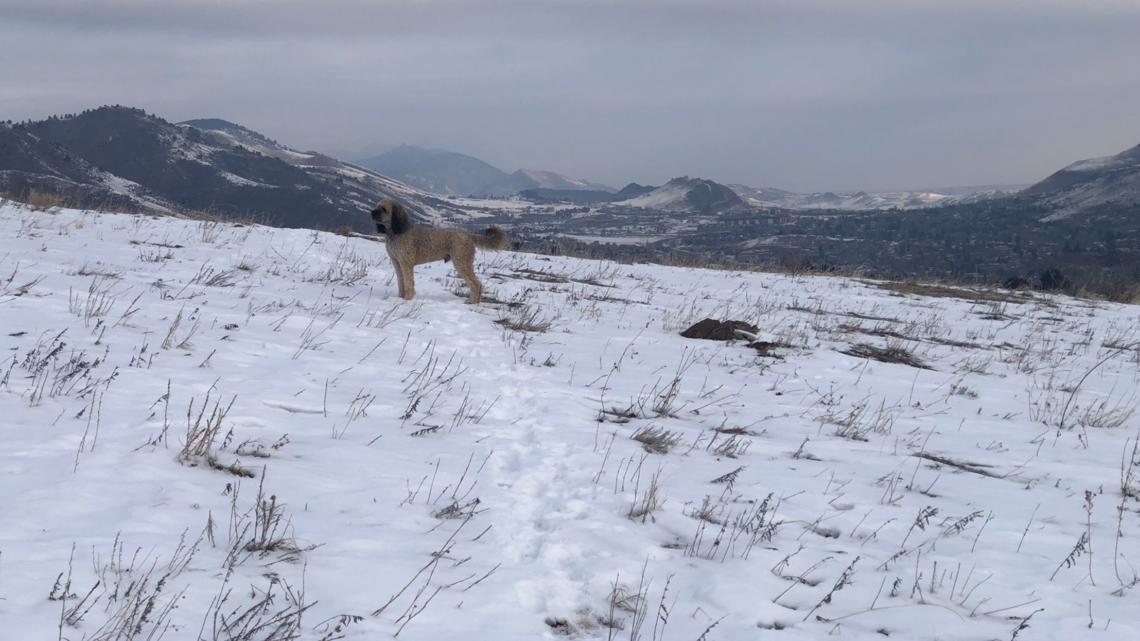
(119, 156)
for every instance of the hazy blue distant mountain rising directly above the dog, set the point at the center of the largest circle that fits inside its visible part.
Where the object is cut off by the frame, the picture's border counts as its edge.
(439, 172)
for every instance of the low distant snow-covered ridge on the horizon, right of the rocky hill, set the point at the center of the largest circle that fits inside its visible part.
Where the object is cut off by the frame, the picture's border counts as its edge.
(859, 201)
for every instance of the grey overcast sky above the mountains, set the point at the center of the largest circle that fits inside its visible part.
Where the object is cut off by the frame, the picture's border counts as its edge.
(799, 94)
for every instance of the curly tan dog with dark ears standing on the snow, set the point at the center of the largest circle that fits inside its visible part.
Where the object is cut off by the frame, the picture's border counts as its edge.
(411, 245)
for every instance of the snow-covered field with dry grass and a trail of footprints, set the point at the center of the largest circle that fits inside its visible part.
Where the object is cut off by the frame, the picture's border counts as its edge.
(216, 432)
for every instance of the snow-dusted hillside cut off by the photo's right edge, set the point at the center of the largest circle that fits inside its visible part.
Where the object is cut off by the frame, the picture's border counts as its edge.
(1111, 181)
